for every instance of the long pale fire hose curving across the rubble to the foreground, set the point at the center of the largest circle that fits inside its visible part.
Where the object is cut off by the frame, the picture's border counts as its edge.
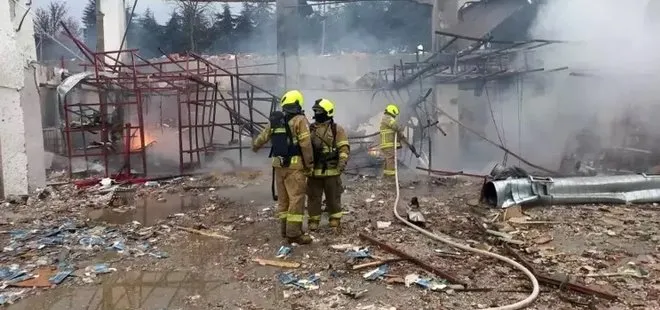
(446, 239)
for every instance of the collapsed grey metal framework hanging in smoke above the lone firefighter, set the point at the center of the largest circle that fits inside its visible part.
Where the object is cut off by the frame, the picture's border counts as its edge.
(481, 61)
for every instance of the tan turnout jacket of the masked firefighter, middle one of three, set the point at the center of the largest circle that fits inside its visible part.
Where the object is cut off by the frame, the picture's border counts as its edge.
(331, 148)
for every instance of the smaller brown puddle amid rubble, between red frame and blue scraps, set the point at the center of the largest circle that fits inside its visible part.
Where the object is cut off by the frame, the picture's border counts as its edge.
(149, 210)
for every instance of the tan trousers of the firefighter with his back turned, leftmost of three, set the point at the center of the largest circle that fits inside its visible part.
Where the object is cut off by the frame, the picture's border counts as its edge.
(291, 187)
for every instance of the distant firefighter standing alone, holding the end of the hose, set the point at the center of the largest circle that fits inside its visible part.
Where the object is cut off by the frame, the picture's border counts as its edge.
(389, 126)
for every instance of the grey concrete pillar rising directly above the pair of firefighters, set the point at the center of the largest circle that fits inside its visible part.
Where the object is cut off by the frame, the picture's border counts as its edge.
(288, 63)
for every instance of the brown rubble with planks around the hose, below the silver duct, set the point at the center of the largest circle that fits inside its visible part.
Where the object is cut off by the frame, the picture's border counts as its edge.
(590, 256)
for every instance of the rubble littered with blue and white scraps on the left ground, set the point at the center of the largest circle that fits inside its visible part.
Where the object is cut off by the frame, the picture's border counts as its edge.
(50, 240)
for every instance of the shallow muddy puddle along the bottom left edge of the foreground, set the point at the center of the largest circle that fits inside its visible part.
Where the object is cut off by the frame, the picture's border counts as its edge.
(127, 290)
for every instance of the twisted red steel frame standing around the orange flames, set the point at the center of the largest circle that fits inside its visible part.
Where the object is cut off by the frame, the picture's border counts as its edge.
(193, 80)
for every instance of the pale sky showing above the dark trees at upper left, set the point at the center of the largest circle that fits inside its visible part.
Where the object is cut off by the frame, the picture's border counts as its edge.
(161, 8)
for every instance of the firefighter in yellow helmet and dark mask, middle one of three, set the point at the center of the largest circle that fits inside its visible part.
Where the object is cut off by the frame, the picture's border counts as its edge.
(331, 151)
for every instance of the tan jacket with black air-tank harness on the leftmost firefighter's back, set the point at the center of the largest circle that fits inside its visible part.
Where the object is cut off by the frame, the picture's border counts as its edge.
(290, 140)
